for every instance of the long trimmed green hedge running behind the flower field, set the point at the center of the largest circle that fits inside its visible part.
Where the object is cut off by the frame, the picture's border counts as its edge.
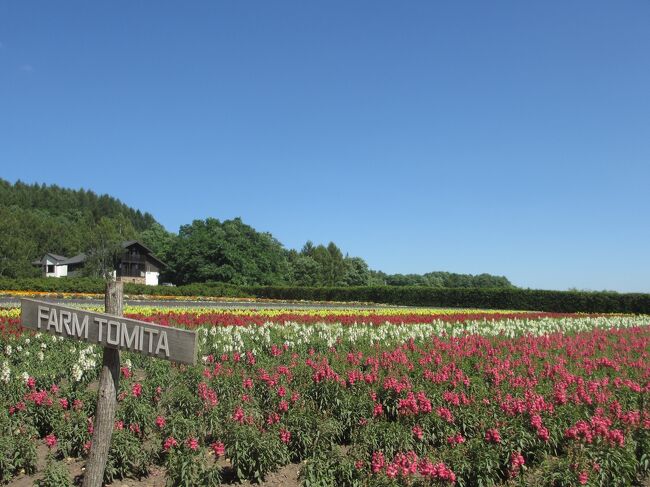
(514, 299)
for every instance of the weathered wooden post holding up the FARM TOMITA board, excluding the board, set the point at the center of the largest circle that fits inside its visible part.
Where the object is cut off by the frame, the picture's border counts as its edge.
(107, 398)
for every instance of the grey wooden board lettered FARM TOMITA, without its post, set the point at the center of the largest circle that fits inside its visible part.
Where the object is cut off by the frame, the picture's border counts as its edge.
(105, 330)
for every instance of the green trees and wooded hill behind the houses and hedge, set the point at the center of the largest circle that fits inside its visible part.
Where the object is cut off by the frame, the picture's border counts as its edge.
(35, 219)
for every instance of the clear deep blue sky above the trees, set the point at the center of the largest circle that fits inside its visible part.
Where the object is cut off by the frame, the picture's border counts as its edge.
(507, 137)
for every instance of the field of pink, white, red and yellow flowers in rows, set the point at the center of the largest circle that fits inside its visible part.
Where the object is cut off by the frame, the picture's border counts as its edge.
(386, 396)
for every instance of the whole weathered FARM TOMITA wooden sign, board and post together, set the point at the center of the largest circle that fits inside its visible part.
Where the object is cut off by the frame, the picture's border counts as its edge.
(113, 332)
